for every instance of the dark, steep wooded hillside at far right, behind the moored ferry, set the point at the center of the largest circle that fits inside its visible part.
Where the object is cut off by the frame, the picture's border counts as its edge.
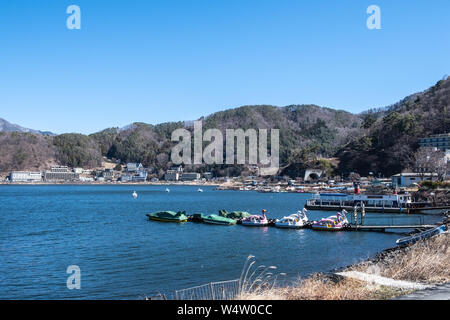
(390, 136)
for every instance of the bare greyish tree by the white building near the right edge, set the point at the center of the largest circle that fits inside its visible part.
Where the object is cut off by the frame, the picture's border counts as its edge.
(429, 160)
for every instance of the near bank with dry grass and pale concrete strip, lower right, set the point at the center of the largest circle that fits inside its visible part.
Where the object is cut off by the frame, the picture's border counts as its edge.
(416, 270)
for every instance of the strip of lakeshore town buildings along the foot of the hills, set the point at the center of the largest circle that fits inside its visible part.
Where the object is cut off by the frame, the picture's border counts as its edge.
(311, 180)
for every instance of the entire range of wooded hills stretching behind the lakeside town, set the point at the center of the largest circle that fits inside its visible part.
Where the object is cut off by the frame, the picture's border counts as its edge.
(380, 141)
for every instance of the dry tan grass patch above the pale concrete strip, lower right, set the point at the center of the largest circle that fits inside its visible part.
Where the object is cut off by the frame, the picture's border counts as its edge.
(425, 261)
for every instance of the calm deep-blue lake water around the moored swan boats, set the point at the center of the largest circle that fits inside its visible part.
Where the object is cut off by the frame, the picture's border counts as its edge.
(122, 255)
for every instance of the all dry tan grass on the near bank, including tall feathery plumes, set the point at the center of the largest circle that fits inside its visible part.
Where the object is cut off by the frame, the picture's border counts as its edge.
(426, 261)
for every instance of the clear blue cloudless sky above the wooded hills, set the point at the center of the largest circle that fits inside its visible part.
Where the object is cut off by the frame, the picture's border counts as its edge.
(158, 61)
